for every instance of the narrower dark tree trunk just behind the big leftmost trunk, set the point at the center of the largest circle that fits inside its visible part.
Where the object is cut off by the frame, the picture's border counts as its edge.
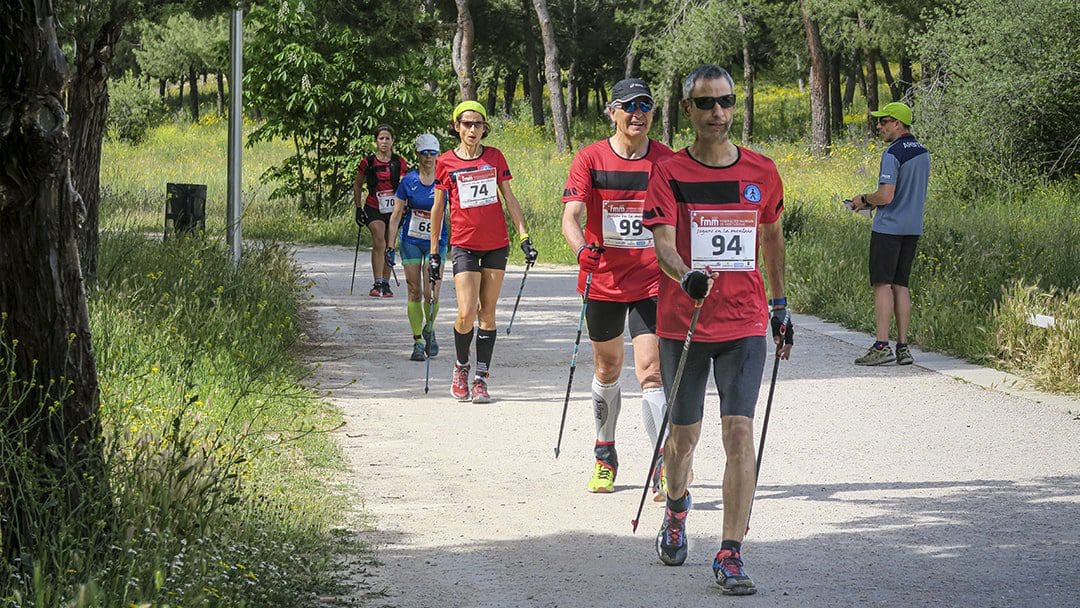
(89, 107)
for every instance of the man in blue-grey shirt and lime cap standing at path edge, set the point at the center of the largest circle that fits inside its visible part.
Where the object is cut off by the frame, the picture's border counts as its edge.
(899, 206)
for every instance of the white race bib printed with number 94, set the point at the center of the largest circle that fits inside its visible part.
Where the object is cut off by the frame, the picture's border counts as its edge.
(724, 240)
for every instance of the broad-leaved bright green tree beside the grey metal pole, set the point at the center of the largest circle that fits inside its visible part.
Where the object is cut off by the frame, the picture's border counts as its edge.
(323, 83)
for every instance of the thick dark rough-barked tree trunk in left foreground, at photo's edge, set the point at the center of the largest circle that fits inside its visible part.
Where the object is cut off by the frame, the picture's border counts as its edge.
(45, 329)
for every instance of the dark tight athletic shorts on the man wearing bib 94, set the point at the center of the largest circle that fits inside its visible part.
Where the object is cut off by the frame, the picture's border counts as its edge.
(737, 368)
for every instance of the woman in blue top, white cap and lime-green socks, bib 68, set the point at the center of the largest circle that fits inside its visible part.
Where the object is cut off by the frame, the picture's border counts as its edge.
(413, 202)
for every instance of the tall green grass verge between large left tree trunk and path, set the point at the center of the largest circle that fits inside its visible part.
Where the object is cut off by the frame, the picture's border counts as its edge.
(221, 464)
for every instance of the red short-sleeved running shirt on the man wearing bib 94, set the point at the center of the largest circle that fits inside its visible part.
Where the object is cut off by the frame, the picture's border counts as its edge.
(717, 213)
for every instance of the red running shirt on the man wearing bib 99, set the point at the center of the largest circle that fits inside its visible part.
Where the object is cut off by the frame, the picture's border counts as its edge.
(613, 190)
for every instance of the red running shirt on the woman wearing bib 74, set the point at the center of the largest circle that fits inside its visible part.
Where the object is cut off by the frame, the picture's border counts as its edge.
(477, 220)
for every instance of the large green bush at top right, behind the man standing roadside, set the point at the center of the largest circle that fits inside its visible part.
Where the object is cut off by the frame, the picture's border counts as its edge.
(1003, 107)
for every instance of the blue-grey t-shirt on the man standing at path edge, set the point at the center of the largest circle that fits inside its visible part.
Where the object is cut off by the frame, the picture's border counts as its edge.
(906, 164)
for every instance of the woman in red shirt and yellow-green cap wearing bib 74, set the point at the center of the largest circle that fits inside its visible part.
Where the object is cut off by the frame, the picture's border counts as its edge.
(472, 178)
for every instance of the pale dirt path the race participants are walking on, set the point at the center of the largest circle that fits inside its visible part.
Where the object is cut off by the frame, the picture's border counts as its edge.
(885, 487)
